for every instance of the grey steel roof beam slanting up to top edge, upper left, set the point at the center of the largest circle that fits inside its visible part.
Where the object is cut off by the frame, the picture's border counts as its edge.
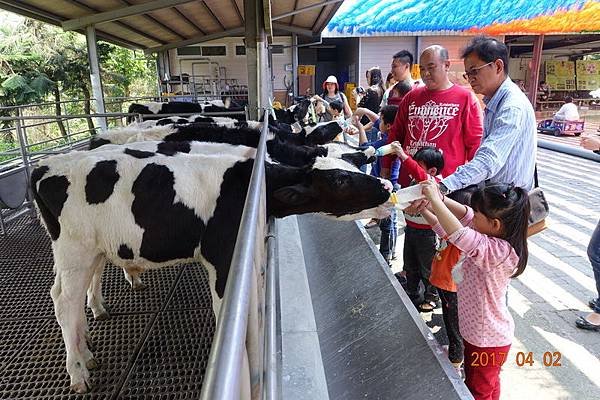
(119, 13)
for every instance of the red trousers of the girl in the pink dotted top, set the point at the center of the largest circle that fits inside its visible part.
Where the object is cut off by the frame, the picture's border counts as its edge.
(482, 370)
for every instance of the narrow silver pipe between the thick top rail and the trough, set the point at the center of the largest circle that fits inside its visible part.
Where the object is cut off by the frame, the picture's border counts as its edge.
(272, 362)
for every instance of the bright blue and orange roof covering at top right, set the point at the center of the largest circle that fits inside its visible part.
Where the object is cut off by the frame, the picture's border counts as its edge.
(455, 17)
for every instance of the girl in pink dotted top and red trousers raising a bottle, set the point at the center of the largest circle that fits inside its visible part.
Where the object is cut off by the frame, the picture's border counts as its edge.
(492, 236)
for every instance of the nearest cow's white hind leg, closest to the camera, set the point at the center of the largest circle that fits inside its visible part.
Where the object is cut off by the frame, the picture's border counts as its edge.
(73, 275)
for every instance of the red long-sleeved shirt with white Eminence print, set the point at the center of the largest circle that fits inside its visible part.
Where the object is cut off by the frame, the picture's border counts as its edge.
(449, 119)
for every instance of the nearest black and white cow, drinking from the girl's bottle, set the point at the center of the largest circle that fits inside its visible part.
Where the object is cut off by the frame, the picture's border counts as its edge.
(159, 210)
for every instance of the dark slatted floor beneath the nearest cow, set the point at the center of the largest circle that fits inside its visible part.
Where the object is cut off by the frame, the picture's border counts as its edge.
(154, 346)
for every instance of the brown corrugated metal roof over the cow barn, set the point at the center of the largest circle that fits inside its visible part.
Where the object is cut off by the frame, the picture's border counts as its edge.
(167, 23)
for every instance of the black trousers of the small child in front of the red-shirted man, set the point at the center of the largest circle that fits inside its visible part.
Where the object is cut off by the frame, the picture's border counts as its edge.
(419, 249)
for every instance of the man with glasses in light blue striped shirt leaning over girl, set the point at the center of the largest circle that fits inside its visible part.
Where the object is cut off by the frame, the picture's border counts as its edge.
(508, 148)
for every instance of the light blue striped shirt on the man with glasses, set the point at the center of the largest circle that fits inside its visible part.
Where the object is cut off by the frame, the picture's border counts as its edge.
(508, 146)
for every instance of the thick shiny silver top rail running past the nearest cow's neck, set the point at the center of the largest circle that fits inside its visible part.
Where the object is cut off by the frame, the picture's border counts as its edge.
(222, 378)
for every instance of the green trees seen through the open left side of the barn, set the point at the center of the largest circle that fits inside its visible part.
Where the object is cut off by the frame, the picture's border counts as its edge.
(41, 63)
